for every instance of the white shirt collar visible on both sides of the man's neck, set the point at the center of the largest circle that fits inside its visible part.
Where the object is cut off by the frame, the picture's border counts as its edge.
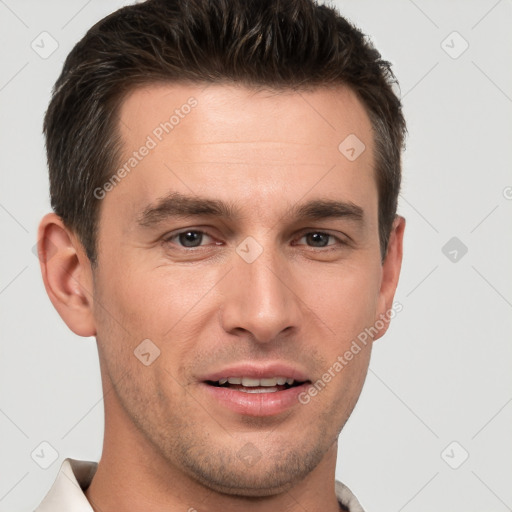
(67, 492)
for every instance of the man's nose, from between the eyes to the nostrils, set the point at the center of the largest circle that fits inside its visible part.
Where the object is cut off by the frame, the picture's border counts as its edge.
(259, 298)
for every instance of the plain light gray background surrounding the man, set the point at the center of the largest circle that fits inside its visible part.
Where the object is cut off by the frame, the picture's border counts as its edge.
(441, 374)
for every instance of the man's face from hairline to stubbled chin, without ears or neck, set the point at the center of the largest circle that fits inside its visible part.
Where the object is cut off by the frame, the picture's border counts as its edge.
(243, 244)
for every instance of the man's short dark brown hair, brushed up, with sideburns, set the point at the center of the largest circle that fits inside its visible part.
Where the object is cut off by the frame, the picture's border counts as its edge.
(285, 44)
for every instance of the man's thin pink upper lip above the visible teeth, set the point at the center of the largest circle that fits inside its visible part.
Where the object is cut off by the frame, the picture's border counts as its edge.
(257, 371)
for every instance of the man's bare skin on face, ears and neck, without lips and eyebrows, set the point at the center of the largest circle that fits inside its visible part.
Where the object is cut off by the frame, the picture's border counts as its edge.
(168, 445)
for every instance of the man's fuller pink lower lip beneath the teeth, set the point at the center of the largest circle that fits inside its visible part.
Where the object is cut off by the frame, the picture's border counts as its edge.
(256, 404)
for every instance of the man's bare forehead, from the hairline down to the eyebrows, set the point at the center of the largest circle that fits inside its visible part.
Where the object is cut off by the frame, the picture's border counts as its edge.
(258, 145)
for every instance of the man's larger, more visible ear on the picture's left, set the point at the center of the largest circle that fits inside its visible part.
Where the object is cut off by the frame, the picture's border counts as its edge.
(67, 274)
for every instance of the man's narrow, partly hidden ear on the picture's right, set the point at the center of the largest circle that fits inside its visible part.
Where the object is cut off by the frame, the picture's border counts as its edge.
(390, 273)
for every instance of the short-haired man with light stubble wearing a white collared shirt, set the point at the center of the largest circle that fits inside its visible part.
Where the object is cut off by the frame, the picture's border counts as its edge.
(224, 177)
